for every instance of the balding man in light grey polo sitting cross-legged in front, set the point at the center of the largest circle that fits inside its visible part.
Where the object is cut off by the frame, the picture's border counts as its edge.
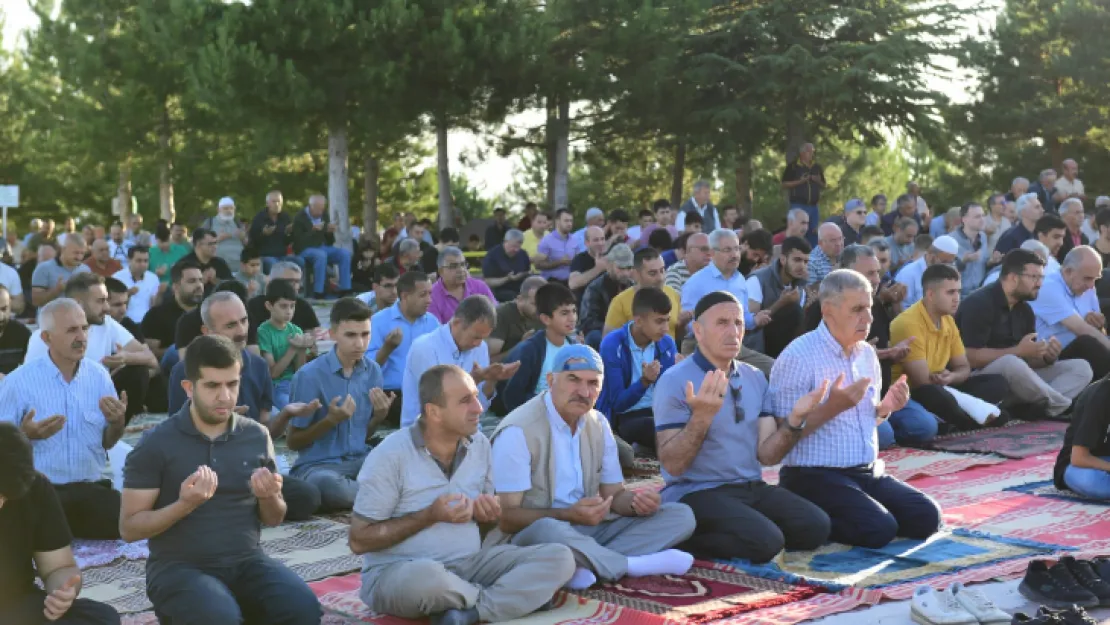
(423, 493)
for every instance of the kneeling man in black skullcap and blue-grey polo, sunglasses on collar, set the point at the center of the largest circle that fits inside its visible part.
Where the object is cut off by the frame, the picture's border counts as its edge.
(712, 445)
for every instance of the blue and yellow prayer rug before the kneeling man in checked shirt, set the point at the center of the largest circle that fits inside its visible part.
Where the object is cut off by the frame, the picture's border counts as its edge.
(839, 567)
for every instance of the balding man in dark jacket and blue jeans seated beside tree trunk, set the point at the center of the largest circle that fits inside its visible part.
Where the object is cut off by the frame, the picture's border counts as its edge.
(315, 243)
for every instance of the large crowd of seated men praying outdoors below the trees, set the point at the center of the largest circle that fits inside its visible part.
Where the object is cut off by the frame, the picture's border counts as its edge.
(695, 335)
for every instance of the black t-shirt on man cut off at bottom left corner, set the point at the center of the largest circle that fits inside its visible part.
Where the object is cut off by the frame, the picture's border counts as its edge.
(35, 523)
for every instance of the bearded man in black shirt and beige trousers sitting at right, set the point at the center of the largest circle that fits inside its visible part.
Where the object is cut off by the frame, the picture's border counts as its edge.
(1000, 332)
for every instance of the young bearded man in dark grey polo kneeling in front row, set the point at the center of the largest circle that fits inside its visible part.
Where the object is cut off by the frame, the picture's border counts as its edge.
(200, 487)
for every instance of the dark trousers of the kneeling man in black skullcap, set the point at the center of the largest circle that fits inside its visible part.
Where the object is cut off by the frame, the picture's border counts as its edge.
(753, 521)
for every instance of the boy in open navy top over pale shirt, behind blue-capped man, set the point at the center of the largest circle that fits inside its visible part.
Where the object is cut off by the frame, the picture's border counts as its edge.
(559, 314)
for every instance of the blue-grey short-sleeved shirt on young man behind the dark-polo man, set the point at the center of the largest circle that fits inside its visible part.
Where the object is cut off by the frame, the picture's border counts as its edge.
(324, 379)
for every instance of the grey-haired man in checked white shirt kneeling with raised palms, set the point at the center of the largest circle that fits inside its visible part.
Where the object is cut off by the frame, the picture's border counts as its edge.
(833, 463)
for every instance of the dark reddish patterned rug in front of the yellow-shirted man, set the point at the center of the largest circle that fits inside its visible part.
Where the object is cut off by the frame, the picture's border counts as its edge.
(1016, 440)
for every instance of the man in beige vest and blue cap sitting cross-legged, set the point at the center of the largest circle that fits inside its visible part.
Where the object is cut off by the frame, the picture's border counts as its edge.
(559, 480)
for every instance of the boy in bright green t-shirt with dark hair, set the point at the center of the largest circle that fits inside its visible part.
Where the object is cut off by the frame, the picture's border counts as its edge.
(281, 342)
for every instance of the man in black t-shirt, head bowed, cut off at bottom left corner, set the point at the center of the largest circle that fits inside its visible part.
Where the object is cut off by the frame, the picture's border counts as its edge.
(35, 542)
